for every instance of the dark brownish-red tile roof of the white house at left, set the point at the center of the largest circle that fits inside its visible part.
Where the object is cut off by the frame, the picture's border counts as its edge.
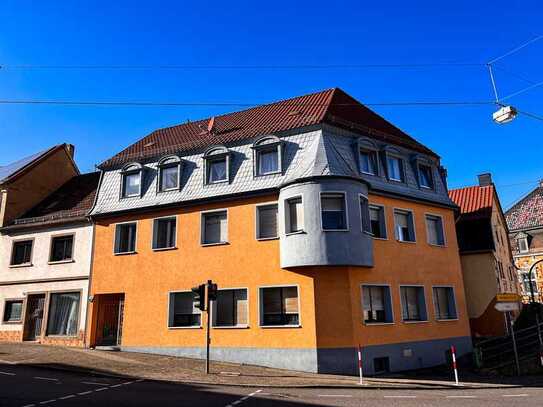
(74, 199)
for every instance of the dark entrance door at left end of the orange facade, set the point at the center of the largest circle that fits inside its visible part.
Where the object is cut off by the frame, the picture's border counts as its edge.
(110, 317)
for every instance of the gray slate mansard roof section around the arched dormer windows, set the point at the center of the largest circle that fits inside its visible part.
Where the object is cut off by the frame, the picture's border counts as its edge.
(308, 152)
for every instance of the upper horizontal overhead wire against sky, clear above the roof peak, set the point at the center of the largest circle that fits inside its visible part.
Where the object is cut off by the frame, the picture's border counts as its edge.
(237, 67)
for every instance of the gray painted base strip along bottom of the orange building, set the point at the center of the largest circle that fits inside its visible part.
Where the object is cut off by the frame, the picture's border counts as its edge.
(401, 356)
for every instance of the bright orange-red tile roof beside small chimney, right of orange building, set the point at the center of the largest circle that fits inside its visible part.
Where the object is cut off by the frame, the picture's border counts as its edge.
(474, 201)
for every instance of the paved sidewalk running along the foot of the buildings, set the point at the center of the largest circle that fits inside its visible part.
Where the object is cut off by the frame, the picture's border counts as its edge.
(184, 370)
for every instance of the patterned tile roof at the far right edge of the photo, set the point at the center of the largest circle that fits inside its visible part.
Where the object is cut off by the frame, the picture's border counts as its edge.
(528, 212)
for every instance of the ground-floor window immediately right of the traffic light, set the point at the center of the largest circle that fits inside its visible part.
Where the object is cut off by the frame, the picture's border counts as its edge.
(230, 309)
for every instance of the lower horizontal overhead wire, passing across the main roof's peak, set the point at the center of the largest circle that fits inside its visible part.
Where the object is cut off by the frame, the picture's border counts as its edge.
(228, 104)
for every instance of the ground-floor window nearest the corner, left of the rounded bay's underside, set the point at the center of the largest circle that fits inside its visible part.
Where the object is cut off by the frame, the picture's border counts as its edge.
(279, 306)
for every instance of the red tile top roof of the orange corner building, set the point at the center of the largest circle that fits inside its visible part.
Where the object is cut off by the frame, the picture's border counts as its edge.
(330, 106)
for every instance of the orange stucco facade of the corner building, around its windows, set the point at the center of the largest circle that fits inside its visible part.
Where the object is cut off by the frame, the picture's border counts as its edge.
(331, 314)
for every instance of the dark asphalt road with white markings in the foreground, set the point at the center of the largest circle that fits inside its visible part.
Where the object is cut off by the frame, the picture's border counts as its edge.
(34, 387)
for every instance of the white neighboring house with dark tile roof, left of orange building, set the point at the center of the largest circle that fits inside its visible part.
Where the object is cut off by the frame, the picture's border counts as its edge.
(45, 261)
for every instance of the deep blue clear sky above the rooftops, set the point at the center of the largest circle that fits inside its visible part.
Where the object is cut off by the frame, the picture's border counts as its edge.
(275, 33)
